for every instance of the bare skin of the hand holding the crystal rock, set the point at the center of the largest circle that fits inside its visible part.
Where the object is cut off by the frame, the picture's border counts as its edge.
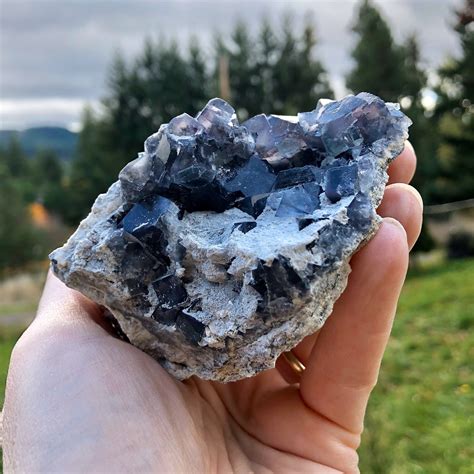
(78, 399)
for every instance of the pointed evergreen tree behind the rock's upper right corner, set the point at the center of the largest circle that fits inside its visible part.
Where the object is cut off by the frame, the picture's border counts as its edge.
(394, 72)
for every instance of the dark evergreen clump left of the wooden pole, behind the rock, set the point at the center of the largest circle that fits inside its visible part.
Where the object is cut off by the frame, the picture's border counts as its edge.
(159, 85)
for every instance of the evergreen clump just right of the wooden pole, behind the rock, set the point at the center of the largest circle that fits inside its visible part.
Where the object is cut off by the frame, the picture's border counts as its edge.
(274, 71)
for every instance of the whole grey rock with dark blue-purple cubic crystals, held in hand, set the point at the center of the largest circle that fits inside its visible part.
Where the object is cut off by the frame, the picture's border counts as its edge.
(224, 244)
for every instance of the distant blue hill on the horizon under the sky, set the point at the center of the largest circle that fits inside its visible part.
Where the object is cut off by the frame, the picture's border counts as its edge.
(58, 139)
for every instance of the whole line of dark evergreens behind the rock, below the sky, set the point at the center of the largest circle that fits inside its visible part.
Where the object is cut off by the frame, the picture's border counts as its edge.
(273, 70)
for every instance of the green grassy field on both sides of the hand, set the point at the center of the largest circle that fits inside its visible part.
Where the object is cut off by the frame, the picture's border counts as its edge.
(421, 416)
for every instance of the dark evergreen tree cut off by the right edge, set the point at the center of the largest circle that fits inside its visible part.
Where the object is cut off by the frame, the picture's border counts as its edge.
(456, 113)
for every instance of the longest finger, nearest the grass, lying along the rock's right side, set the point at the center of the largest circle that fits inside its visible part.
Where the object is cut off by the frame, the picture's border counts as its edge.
(344, 364)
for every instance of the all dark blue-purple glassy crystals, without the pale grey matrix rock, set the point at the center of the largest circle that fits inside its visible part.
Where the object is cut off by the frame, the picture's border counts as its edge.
(267, 165)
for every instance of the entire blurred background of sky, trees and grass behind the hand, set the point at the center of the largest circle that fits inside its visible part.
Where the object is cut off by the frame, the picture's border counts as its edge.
(83, 83)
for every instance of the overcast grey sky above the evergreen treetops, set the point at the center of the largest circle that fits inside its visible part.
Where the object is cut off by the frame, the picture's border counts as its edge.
(54, 54)
